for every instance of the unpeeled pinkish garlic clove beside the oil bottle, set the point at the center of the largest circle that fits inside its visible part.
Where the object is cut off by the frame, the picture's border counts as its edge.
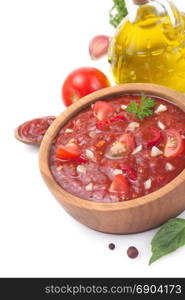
(99, 46)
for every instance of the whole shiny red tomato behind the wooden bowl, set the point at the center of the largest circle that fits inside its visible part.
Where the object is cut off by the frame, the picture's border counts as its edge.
(82, 82)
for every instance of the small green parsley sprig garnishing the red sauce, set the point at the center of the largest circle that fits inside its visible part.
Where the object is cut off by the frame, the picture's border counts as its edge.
(144, 109)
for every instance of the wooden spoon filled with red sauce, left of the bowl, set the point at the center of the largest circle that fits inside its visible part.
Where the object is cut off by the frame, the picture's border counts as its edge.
(33, 131)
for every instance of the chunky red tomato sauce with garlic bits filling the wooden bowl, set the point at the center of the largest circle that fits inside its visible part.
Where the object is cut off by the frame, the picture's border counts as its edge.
(118, 157)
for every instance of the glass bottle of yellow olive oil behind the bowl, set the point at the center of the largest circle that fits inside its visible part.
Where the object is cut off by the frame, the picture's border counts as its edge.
(149, 45)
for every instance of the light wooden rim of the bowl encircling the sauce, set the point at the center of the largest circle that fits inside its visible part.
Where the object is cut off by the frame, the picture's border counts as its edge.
(110, 92)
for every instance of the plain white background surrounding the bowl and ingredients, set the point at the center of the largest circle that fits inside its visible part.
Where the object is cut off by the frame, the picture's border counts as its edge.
(41, 42)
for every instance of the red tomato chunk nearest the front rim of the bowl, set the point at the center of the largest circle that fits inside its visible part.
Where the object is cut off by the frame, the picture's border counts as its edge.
(120, 184)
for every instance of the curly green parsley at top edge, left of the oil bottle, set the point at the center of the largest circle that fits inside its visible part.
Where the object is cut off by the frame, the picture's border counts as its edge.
(118, 12)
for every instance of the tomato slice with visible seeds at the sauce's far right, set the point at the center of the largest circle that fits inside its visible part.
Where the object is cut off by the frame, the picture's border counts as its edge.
(175, 145)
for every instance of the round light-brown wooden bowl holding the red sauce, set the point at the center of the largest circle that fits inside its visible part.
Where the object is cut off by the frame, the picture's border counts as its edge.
(133, 216)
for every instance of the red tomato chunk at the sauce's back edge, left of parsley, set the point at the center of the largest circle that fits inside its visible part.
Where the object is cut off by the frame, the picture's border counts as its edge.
(102, 110)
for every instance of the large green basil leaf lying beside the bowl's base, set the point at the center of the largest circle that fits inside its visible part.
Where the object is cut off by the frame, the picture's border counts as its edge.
(170, 237)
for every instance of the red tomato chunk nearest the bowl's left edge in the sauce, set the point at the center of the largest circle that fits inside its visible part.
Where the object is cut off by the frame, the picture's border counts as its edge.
(67, 152)
